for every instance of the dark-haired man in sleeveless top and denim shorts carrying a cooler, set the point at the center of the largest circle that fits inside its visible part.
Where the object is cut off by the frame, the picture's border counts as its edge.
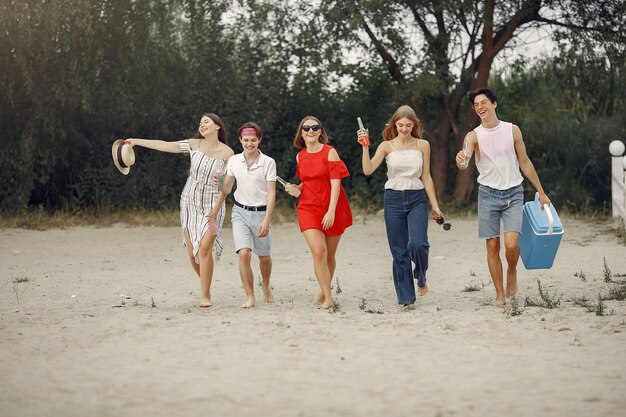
(500, 154)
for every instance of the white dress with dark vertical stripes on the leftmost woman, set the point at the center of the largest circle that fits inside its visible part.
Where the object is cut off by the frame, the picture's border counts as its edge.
(199, 197)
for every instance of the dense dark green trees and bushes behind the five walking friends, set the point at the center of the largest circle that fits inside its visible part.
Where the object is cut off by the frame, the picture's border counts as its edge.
(78, 74)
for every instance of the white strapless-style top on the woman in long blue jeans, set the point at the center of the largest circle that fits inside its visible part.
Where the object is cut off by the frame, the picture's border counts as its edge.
(404, 169)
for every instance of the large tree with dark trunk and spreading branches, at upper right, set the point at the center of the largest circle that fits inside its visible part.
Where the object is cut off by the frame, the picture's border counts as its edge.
(436, 51)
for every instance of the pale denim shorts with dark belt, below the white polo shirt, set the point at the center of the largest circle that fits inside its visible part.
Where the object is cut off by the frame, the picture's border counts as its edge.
(246, 226)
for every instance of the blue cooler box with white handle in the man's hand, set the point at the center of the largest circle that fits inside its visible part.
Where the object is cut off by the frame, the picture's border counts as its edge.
(541, 235)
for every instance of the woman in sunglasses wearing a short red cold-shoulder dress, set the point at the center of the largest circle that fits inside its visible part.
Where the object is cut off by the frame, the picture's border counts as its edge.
(323, 209)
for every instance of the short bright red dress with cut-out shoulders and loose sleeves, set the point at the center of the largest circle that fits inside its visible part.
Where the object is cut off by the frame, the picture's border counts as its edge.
(315, 171)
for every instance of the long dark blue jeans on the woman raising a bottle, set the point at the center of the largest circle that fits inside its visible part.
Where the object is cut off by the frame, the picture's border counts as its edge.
(406, 219)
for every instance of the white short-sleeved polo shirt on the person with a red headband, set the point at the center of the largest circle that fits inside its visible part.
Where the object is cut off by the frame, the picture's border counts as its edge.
(251, 181)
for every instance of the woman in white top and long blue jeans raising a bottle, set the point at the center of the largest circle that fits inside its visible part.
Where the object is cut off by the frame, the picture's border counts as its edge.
(406, 210)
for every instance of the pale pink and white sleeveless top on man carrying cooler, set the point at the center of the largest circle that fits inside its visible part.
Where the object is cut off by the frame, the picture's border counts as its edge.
(498, 166)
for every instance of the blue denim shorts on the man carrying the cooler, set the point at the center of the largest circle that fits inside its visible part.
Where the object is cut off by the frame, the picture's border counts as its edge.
(494, 205)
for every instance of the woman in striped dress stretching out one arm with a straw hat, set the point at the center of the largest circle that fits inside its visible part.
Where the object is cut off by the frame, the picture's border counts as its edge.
(208, 153)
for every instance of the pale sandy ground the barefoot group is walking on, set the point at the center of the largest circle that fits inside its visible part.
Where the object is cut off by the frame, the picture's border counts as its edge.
(104, 322)
